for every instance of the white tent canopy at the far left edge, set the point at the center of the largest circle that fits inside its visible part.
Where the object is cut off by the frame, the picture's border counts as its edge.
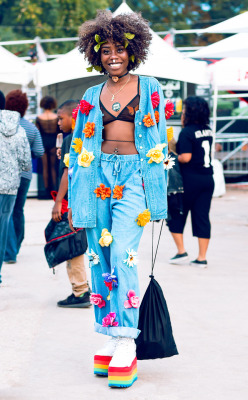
(14, 70)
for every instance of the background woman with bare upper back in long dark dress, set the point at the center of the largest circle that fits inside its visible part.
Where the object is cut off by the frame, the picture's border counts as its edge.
(47, 123)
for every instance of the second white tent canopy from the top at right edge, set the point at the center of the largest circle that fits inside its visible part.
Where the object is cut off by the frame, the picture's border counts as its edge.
(234, 46)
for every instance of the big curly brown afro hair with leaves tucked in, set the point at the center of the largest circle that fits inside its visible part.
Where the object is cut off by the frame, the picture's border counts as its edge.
(115, 29)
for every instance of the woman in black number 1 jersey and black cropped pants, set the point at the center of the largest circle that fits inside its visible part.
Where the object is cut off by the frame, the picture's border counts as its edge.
(194, 149)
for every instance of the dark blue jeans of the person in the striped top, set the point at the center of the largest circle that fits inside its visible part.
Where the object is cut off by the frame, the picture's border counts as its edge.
(17, 222)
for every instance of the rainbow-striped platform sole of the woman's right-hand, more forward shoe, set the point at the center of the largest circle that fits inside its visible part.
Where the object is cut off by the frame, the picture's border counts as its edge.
(122, 377)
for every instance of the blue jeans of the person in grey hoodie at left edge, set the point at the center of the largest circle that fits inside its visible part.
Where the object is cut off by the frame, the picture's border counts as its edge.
(7, 202)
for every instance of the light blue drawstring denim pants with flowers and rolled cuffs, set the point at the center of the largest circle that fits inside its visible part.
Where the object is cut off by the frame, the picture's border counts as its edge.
(118, 217)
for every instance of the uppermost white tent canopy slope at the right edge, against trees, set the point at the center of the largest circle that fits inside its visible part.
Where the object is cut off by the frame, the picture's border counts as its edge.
(236, 24)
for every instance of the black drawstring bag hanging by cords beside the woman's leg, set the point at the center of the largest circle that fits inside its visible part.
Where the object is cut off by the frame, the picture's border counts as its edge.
(156, 337)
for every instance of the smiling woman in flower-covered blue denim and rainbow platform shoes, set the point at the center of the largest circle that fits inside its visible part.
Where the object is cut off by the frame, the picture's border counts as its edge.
(117, 179)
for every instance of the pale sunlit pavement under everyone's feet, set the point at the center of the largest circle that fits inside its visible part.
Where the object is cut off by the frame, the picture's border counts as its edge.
(46, 352)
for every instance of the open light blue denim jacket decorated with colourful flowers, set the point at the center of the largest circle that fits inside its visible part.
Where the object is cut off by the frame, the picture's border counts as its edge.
(82, 180)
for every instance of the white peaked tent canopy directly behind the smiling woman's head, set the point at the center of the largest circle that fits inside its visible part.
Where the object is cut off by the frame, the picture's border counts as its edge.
(163, 62)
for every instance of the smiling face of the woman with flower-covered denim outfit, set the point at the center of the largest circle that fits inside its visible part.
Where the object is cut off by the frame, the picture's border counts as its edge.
(114, 58)
